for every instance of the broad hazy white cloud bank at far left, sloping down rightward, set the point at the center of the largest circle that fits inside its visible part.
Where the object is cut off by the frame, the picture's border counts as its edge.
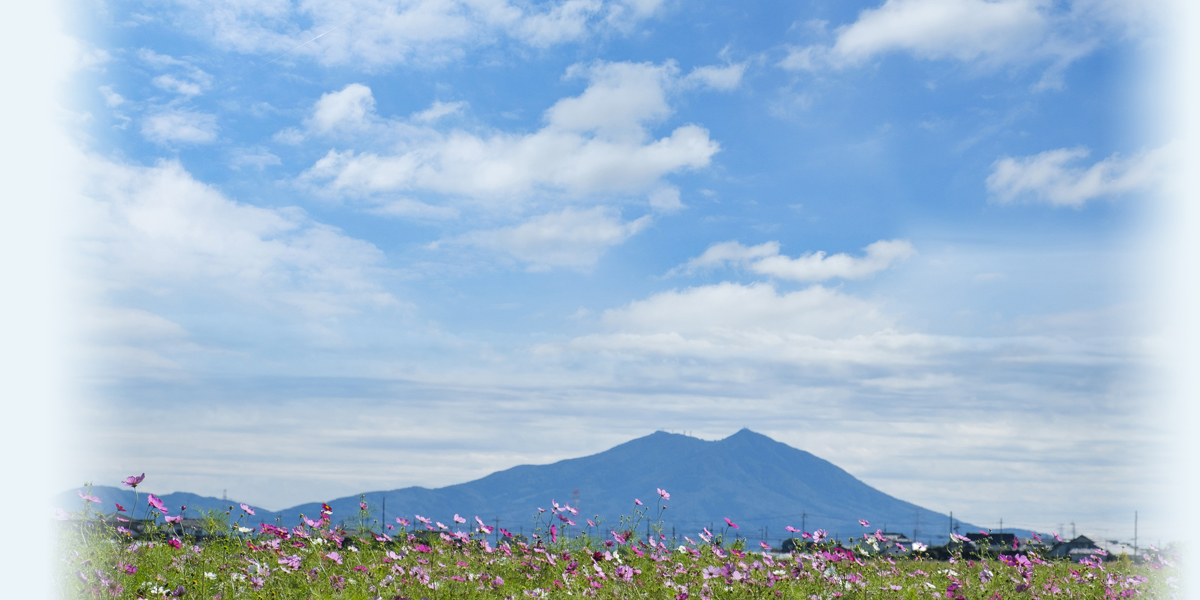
(159, 230)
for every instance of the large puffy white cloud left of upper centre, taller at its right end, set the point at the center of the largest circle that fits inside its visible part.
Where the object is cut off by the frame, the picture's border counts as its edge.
(597, 142)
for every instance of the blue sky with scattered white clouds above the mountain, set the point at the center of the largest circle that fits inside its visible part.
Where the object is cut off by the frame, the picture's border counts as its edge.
(329, 248)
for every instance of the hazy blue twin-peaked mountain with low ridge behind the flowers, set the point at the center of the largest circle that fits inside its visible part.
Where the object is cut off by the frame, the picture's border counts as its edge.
(752, 479)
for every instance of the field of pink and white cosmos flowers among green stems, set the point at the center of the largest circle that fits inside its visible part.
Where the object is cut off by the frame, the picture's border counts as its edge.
(159, 555)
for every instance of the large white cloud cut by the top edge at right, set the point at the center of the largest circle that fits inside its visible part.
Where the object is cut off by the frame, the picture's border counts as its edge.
(983, 32)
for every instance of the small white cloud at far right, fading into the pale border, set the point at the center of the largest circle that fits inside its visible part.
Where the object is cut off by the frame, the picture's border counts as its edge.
(1053, 178)
